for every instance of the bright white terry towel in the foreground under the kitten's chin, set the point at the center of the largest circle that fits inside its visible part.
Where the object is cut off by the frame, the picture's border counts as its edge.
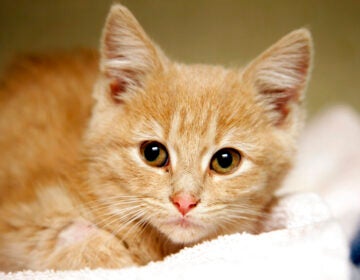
(302, 241)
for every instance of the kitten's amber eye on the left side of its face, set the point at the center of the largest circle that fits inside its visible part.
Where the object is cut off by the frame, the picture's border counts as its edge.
(154, 154)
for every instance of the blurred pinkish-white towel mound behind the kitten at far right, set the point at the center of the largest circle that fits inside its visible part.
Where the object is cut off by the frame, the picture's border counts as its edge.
(328, 163)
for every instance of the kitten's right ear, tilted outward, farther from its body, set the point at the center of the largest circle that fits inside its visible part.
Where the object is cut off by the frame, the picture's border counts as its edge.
(280, 74)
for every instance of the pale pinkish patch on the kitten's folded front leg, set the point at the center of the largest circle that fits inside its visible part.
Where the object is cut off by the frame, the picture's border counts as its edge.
(77, 231)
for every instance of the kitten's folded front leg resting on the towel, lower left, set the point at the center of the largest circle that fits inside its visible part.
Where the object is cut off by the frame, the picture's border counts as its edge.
(82, 244)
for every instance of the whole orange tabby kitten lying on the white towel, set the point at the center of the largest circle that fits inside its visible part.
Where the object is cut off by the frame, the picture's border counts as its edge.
(168, 155)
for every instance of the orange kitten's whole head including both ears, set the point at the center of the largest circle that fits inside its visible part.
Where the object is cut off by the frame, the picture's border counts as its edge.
(191, 150)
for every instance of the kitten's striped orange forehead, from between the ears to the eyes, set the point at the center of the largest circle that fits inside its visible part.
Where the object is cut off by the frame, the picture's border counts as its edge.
(195, 110)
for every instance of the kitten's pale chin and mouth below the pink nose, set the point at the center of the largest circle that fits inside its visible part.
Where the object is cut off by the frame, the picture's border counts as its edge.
(184, 231)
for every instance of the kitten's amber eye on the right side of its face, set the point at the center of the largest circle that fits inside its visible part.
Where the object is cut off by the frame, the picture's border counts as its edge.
(225, 161)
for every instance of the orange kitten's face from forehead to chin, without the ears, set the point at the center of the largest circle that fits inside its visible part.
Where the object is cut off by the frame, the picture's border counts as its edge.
(193, 112)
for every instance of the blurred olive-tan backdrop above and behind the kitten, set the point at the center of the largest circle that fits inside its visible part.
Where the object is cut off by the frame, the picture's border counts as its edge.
(229, 32)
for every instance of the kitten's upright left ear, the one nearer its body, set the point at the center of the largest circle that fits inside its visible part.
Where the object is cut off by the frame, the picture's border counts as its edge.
(128, 56)
